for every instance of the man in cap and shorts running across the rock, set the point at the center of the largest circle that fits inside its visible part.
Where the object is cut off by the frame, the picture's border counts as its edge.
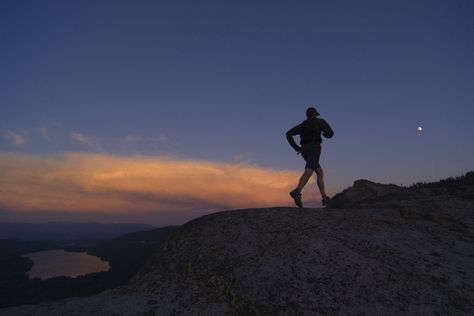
(310, 139)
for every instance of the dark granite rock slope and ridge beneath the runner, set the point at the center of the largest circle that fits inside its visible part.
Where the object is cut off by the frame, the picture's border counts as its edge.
(395, 252)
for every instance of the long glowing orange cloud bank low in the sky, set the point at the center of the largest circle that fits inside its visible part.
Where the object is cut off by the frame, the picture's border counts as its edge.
(87, 182)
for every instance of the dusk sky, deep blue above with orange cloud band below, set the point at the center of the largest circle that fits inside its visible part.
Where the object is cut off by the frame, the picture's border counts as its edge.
(124, 90)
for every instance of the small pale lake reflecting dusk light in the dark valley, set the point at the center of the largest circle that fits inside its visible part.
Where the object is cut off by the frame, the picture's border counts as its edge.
(54, 263)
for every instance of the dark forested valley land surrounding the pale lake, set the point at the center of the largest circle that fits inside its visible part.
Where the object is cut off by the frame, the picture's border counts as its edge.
(125, 254)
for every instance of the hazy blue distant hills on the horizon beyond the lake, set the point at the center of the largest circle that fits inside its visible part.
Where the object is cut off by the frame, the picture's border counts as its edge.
(61, 231)
